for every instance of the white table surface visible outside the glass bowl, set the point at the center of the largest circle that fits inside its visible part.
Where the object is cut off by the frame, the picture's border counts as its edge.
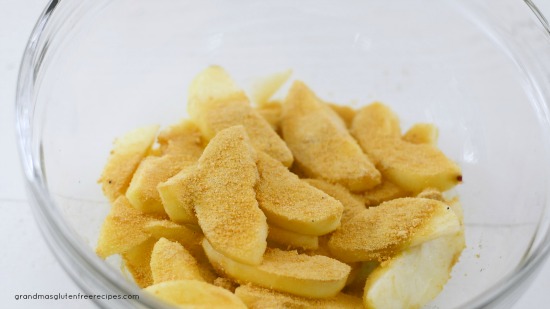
(26, 264)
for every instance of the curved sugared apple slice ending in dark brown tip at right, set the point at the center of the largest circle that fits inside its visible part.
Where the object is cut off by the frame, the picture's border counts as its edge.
(412, 167)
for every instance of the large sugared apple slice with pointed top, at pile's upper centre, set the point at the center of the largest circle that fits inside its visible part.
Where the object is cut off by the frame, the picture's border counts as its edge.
(321, 143)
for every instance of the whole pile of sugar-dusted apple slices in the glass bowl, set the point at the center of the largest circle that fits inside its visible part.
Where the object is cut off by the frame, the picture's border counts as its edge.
(299, 203)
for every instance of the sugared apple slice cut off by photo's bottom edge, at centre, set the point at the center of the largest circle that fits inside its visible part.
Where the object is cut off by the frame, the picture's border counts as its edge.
(256, 297)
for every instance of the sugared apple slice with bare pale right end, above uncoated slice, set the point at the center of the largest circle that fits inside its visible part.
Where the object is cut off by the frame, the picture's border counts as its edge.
(379, 233)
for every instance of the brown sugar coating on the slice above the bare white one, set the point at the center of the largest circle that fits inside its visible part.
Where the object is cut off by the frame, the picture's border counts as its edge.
(379, 232)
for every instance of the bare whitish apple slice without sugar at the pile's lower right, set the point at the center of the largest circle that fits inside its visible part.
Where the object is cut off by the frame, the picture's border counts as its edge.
(415, 276)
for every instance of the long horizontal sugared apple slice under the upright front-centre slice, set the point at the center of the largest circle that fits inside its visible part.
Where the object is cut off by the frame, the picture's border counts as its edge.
(286, 271)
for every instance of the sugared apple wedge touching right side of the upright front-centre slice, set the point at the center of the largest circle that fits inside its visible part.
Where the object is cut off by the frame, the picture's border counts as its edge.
(293, 204)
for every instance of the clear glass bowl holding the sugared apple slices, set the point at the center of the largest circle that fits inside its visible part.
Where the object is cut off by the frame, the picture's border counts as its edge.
(479, 70)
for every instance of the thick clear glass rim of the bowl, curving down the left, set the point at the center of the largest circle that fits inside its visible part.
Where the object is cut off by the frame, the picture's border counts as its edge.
(77, 259)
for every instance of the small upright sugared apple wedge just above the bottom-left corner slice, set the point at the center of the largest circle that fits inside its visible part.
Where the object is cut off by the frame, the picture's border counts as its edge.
(171, 261)
